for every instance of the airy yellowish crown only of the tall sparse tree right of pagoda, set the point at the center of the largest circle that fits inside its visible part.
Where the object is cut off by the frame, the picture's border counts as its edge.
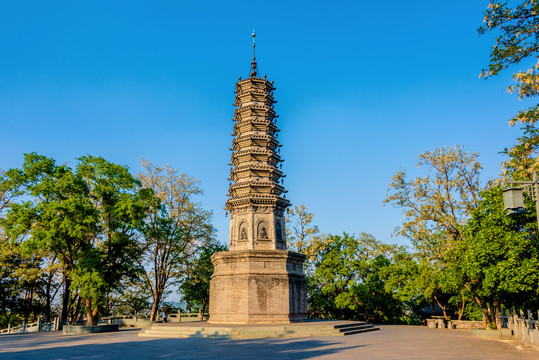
(437, 204)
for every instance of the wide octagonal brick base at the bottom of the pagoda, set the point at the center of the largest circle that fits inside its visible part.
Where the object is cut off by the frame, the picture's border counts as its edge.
(258, 287)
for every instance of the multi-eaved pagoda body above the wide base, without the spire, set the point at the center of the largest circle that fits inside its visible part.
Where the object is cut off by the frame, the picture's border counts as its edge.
(255, 203)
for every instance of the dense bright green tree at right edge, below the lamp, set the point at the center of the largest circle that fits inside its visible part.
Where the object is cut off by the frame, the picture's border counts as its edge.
(497, 260)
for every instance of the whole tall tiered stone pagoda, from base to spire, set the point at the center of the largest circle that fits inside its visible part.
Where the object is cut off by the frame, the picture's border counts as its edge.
(258, 280)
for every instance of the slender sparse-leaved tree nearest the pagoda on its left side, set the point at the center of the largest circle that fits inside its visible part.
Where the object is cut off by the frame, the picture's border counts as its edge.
(174, 229)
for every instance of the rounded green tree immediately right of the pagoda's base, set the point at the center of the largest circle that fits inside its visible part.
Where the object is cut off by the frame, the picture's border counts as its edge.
(349, 273)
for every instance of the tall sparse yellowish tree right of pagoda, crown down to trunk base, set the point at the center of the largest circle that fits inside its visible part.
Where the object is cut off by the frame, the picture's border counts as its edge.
(435, 207)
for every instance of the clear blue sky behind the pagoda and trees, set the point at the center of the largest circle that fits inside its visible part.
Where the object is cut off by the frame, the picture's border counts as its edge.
(363, 87)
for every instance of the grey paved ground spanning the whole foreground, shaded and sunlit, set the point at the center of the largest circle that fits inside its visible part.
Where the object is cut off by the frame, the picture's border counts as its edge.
(391, 342)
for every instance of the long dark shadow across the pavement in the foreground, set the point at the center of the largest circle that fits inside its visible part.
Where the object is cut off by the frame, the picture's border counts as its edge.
(188, 348)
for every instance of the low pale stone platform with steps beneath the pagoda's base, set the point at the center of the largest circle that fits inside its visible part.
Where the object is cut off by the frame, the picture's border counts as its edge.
(203, 329)
